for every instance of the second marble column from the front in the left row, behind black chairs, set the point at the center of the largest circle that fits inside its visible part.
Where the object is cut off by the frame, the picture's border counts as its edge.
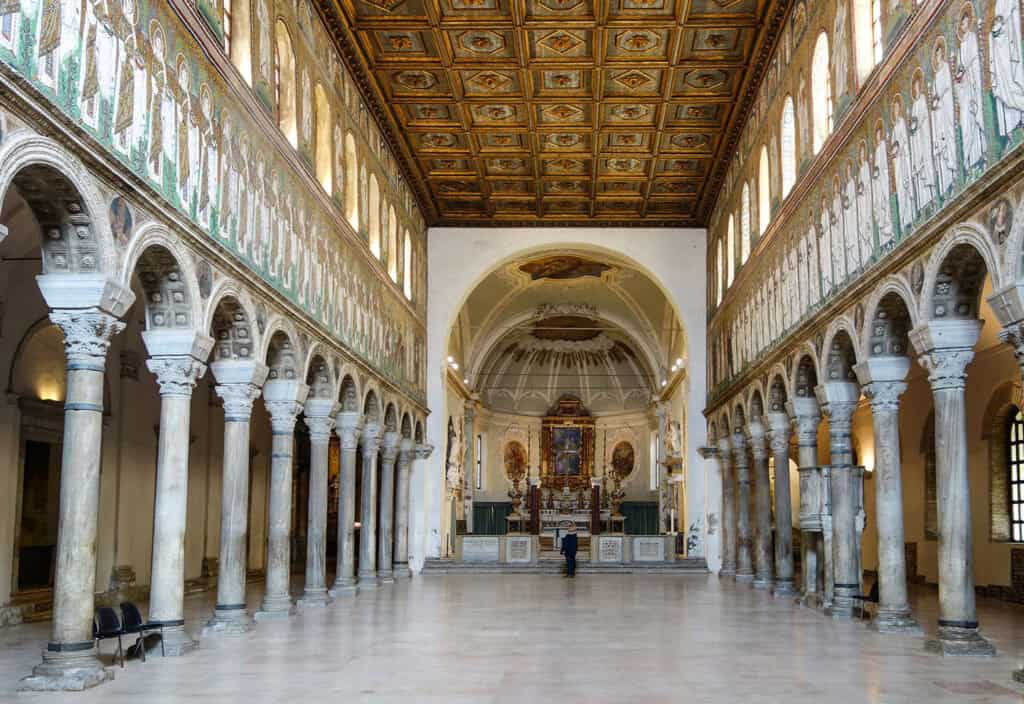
(178, 362)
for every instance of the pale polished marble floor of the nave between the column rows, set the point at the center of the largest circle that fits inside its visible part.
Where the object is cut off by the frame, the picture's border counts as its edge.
(541, 639)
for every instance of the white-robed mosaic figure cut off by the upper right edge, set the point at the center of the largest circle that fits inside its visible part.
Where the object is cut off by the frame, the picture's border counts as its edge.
(1006, 67)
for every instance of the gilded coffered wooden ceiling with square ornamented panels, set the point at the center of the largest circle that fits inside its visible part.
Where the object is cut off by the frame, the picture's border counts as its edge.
(585, 112)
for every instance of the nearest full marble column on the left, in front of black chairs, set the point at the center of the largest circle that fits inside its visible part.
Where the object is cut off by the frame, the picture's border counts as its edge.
(70, 662)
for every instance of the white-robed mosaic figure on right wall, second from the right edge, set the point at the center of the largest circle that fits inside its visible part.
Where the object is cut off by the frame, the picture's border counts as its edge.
(969, 92)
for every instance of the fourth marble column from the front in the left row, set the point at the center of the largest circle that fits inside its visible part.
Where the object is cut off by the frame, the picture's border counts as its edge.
(284, 400)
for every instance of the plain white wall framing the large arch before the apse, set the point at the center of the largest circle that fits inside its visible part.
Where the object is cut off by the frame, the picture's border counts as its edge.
(459, 258)
